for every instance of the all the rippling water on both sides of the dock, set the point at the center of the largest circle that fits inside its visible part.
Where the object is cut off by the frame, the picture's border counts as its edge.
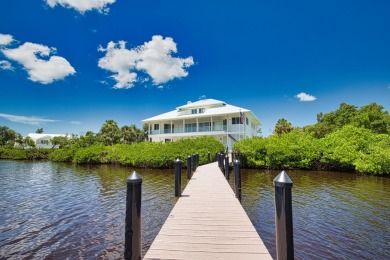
(58, 211)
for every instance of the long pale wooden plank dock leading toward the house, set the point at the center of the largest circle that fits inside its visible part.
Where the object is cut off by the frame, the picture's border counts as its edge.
(208, 222)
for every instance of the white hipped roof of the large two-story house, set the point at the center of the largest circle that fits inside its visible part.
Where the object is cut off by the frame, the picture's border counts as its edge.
(213, 108)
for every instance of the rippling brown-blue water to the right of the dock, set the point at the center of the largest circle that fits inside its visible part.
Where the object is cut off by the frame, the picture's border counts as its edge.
(335, 215)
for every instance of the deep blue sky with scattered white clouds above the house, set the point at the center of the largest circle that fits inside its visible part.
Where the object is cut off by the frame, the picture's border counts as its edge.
(67, 66)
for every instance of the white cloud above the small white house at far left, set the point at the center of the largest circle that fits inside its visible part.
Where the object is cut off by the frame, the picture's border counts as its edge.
(40, 70)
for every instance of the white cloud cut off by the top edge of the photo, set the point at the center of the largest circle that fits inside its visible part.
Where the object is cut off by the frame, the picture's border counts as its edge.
(83, 5)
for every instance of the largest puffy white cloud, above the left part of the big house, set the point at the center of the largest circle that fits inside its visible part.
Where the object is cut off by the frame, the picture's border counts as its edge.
(153, 58)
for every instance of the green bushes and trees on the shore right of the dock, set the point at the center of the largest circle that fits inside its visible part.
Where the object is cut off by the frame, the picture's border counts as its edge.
(349, 138)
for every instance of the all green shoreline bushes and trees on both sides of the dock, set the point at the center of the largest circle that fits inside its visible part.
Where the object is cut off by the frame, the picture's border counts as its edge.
(349, 139)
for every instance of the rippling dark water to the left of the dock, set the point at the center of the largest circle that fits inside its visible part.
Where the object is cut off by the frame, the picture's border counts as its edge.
(65, 211)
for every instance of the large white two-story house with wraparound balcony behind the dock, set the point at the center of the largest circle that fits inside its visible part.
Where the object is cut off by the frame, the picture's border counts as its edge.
(209, 117)
